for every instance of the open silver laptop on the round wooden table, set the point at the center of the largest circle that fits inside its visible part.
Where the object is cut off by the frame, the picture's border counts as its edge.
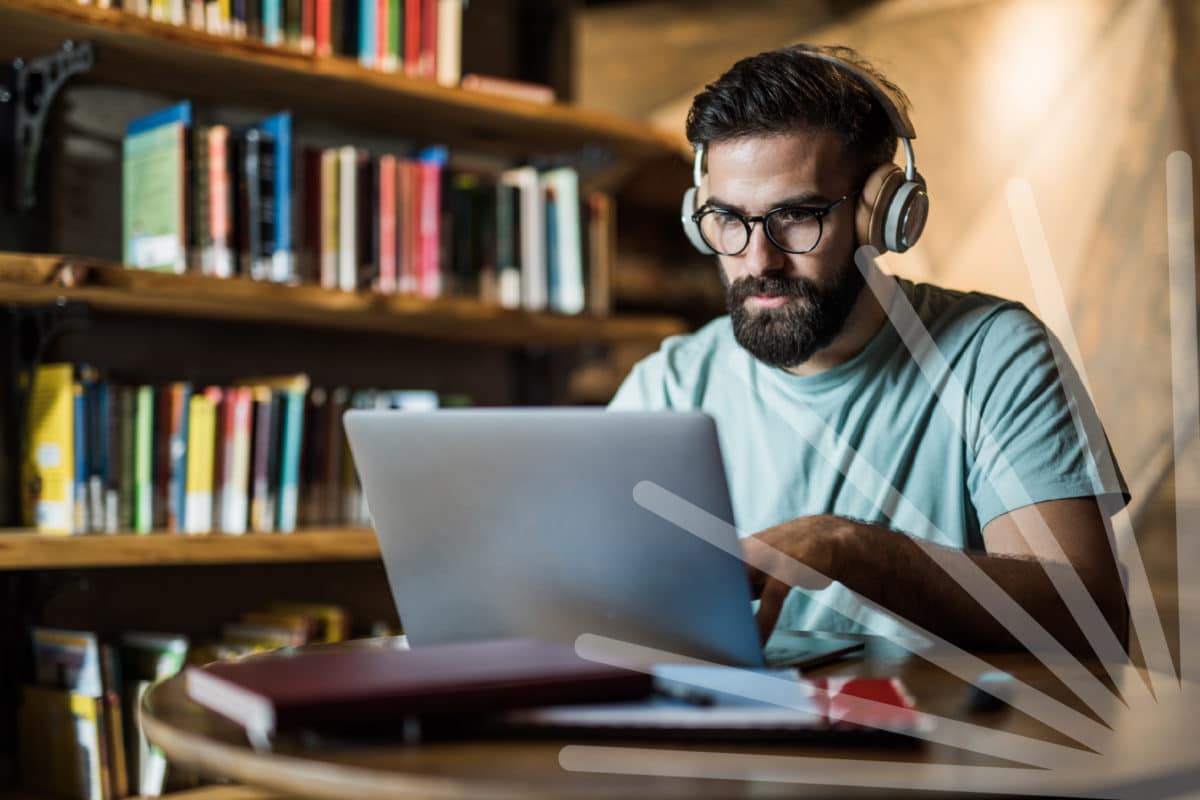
(523, 522)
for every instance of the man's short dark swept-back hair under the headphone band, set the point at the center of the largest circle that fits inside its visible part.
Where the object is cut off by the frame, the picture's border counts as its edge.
(783, 91)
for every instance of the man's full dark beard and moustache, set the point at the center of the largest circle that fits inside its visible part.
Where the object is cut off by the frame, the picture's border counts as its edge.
(790, 335)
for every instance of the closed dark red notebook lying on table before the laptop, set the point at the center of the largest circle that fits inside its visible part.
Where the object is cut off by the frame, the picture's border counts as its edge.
(365, 685)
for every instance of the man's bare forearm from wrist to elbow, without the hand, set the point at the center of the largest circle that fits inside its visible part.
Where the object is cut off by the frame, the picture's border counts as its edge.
(925, 585)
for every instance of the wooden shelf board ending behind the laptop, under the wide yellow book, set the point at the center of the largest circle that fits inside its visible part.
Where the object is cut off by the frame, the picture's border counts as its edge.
(28, 551)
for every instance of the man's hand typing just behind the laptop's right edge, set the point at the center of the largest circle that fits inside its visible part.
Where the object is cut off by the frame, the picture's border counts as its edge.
(803, 552)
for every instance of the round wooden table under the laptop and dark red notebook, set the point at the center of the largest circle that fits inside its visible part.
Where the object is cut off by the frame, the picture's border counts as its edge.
(652, 769)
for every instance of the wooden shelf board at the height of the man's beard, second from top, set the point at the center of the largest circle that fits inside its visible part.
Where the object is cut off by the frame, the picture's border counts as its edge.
(112, 288)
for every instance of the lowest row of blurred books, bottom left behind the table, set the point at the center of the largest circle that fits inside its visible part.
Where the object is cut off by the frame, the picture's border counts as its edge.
(80, 737)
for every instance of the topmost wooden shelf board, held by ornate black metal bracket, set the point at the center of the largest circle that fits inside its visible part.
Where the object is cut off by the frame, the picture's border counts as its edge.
(189, 64)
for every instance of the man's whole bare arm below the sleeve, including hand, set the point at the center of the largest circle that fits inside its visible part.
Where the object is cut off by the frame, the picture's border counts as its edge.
(903, 575)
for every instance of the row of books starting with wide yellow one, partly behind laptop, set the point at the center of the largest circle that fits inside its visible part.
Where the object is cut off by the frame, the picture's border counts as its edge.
(266, 455)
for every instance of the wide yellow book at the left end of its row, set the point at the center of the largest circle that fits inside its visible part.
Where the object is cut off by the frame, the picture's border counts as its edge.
(50, 467)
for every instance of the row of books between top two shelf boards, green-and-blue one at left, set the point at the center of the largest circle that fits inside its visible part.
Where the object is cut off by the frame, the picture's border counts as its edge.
(224, 202)
